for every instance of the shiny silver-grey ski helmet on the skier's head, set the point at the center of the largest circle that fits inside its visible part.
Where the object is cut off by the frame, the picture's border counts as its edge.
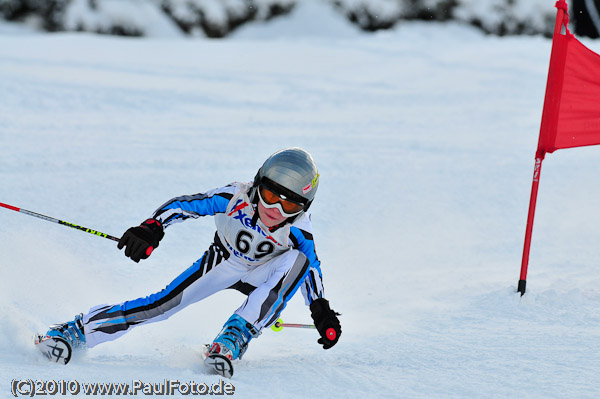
(291, 173)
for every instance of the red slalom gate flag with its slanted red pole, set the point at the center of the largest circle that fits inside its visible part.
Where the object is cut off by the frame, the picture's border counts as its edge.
(571, 115)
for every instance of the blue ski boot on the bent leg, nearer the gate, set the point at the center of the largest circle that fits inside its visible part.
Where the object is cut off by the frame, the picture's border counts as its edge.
(229, 345)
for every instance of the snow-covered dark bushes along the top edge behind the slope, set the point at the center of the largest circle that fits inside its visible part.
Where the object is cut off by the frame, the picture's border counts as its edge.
(219, 18)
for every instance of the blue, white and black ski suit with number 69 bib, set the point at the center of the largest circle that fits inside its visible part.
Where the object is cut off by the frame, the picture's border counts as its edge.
(268, 265)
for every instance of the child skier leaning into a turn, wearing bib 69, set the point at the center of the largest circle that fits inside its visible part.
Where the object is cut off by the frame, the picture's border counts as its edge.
(263, 247)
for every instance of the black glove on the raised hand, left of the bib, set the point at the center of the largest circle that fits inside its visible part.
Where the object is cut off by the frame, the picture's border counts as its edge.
(140, 241)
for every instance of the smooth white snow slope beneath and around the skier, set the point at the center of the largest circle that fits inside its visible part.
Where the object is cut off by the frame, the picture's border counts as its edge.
(424, 137)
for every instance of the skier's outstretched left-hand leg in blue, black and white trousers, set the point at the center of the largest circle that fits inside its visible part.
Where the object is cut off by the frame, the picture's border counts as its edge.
(209, 274)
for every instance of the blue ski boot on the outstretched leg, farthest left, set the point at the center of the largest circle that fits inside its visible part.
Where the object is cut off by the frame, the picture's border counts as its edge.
(60, 340)
